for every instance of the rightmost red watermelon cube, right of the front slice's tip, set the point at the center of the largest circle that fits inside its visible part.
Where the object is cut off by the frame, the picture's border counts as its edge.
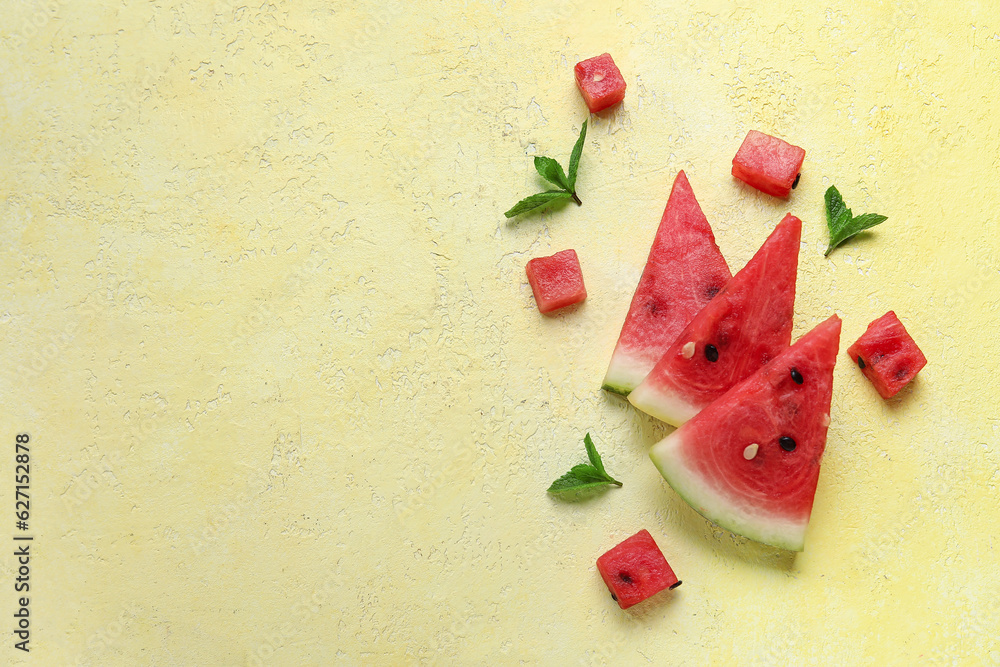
(887, 355)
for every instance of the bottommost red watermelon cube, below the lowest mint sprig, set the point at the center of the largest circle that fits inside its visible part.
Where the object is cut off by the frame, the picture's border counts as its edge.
(635, 570)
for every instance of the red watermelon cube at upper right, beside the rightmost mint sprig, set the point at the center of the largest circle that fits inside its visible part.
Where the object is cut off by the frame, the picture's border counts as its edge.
(768, 163)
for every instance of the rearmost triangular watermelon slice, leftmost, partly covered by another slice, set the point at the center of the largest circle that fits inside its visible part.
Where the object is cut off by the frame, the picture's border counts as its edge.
(683, 272)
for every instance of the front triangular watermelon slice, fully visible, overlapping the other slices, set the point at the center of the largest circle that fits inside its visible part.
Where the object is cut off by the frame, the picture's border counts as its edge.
(750, 460)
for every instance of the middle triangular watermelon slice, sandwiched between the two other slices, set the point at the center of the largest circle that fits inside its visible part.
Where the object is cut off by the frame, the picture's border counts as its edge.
(746, 325)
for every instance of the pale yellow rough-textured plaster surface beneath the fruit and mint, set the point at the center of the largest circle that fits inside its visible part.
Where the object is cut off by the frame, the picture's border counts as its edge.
(290, 398)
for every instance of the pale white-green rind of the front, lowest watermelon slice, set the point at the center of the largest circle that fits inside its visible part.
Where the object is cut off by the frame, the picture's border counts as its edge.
(716, 507)
